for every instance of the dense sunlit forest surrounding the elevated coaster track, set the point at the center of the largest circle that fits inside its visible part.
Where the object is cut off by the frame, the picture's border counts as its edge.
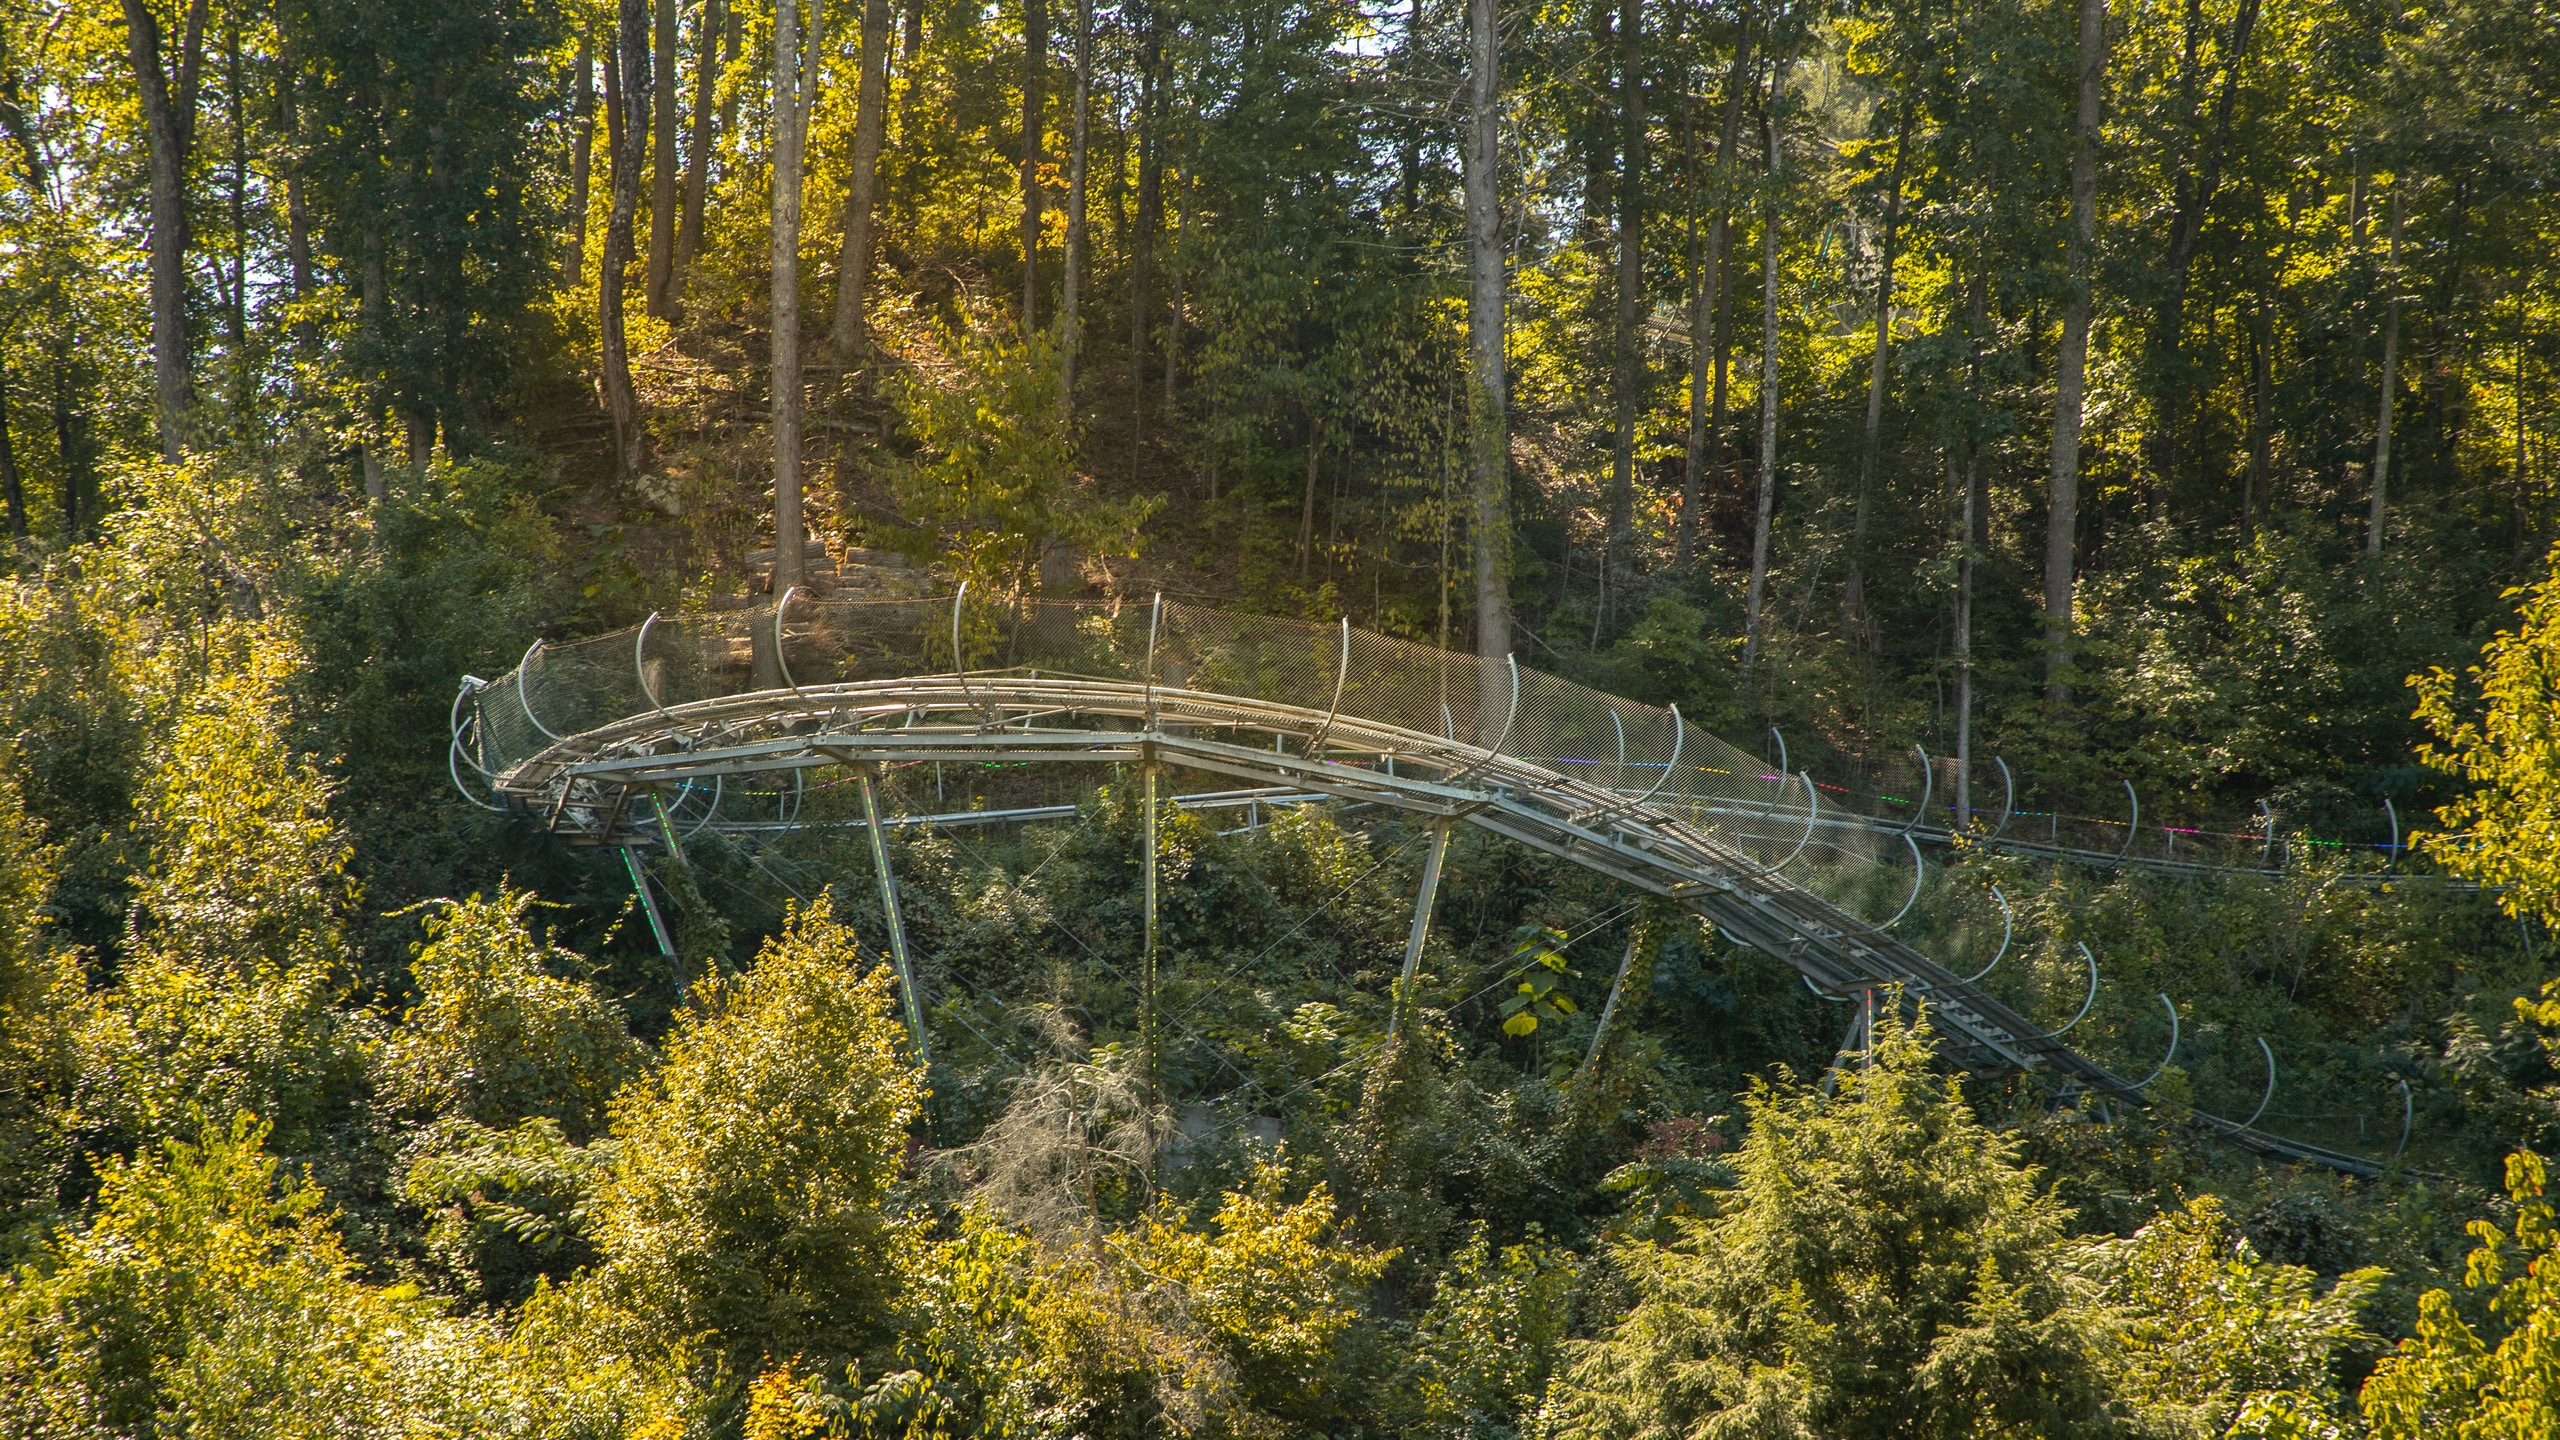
(2157, 396)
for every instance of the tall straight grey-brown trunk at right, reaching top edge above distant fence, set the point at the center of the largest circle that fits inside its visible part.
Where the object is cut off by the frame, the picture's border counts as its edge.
(2072, 365)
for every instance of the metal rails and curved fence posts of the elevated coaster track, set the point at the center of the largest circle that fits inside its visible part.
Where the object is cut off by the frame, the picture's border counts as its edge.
(603, 785)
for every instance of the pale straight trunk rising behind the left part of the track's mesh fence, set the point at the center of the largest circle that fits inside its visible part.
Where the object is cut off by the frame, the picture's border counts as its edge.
(795, 91)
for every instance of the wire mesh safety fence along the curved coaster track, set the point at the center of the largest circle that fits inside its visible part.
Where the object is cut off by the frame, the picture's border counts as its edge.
(1819, 808)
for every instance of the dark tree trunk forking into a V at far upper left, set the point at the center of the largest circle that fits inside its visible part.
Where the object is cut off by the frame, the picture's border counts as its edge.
(170, 127)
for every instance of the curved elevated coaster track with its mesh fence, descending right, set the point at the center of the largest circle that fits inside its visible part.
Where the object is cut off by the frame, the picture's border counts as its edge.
(603, 739)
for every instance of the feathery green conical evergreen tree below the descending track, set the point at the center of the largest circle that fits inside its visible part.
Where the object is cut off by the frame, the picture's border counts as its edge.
(1883, 1267)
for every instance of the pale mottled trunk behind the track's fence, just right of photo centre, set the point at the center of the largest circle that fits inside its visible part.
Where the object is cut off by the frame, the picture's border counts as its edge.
(1489, 432)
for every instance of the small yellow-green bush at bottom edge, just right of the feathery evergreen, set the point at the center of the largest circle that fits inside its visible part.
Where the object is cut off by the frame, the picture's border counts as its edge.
(2213, 1334)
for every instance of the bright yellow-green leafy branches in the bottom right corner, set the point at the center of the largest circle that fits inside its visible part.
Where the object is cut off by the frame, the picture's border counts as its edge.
(2449, 1380)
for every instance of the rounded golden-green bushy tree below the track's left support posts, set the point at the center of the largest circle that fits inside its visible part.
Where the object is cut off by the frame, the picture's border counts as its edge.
(741, 1211)
